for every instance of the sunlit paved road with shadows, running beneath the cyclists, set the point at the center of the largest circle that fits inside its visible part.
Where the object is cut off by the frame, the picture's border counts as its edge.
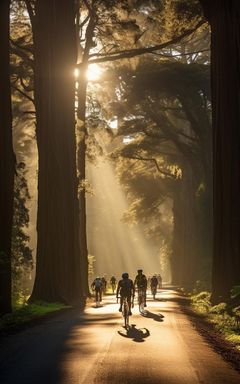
(75, 348)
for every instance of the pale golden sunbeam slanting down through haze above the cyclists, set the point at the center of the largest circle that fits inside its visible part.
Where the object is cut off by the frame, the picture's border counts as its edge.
(115, 245)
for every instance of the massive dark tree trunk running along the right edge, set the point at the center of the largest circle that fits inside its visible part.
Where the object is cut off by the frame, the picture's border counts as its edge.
(224, 18)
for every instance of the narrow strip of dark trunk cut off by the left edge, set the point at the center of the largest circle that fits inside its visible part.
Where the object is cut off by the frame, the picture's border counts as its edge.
(6, 162)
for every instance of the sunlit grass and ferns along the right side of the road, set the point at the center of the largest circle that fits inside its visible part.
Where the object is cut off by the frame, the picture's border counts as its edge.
(225, 321)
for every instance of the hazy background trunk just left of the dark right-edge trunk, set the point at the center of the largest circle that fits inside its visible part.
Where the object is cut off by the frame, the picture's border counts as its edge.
(201, 125)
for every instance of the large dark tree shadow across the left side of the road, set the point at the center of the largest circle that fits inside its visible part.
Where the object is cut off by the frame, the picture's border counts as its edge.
(35, 355)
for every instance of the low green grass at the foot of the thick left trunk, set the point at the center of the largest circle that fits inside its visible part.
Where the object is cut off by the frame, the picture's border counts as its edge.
(24, 312)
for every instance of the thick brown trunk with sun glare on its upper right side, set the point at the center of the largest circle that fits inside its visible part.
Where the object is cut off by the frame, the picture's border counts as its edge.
(58, 276)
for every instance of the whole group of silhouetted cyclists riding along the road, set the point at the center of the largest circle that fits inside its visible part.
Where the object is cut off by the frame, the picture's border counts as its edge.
(126, 287)
